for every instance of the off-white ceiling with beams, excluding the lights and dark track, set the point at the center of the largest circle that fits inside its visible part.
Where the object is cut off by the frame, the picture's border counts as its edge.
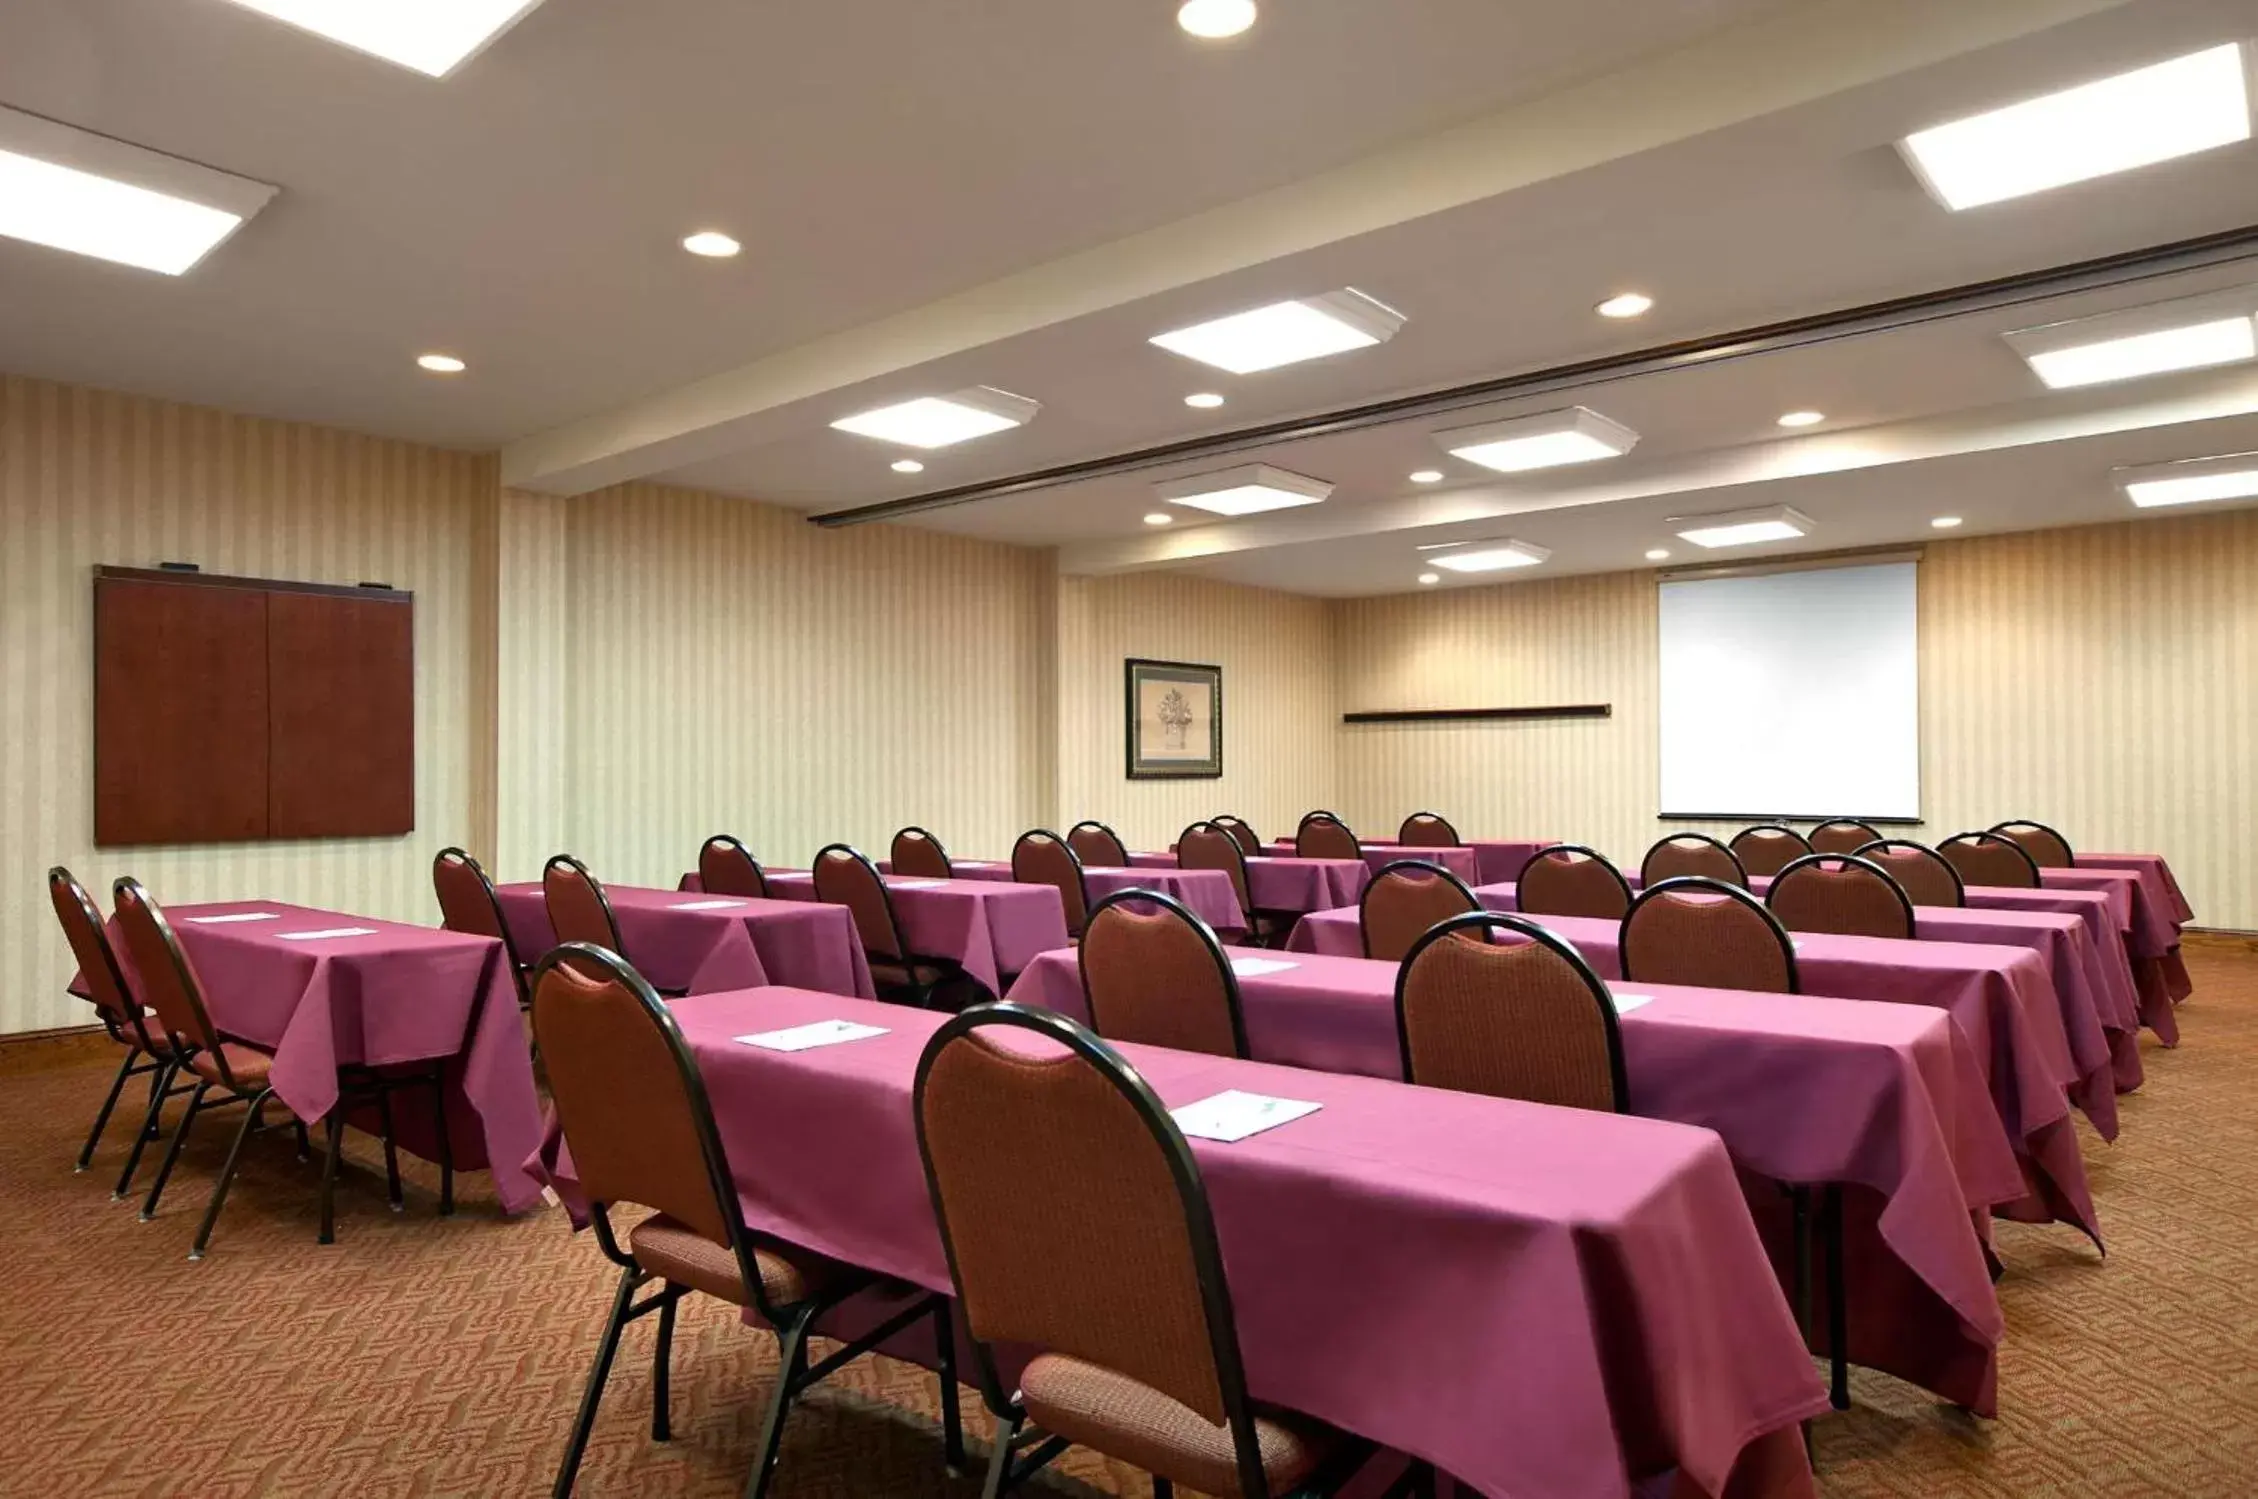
(1024, 193)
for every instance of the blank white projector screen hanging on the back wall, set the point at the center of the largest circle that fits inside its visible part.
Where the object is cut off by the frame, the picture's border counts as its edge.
(1792, 694)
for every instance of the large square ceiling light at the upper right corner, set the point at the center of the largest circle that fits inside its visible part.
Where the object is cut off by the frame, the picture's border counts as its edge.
(2121, 123)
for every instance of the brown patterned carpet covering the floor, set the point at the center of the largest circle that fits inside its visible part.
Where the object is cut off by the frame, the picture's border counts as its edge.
(444, 1358)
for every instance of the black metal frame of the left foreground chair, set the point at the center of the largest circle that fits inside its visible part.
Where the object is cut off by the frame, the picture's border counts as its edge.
(791, 1324)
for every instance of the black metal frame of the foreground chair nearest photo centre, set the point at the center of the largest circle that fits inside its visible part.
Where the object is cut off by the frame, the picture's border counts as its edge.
(1013, 1432)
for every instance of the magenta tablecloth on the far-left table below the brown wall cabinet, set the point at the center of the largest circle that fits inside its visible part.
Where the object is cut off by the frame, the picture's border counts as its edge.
(394, 997)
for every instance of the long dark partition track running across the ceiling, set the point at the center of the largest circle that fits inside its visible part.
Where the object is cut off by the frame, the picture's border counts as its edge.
(1896, 315)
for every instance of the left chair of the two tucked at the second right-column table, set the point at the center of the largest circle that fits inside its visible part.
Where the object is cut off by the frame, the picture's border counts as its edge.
(1155, 974)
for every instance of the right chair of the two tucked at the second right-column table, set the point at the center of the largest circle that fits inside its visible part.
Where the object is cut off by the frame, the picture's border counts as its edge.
(1525, 1017)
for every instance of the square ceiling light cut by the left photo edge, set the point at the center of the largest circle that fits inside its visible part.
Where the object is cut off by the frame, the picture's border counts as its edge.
(91, 195)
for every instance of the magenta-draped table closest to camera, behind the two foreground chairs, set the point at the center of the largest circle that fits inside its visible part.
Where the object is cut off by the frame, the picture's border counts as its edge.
(1539, 1301)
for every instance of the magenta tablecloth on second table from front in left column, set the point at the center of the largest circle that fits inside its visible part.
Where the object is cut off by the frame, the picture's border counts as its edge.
(701, 952)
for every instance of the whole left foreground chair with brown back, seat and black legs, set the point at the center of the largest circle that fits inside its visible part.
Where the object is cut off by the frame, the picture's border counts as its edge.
(640, 1128)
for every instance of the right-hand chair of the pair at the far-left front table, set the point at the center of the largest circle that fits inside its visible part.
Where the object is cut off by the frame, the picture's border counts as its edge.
(236, 1069)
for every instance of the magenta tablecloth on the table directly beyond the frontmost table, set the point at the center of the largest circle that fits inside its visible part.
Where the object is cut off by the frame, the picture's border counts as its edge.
(1801, 1089)
